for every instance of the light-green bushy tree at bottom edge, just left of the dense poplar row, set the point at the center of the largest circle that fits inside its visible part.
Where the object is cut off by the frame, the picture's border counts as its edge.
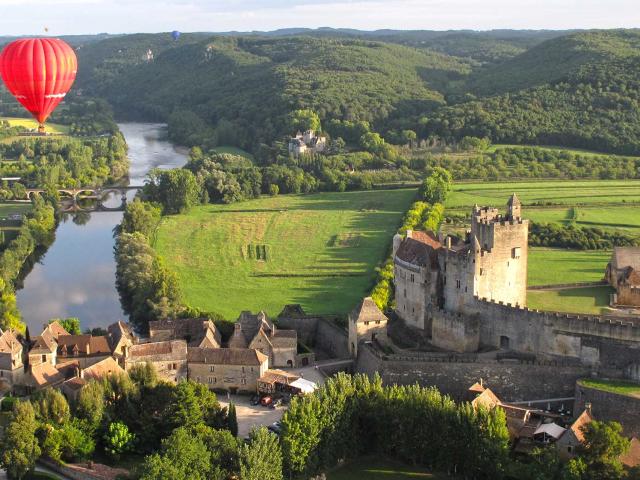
(261, 459)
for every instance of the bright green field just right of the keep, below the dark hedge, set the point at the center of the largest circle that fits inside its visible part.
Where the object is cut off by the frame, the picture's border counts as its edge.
(553, 266)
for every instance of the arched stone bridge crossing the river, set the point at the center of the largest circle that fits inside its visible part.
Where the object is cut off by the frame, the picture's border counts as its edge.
(70, 197)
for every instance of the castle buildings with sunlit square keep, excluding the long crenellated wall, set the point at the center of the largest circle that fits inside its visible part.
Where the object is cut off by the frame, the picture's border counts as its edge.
(434, 273)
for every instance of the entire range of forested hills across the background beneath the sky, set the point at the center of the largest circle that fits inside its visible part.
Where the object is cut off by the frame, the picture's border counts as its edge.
(574, 89)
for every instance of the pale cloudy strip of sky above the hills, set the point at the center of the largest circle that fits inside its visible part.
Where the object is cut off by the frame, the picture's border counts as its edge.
(66, 17)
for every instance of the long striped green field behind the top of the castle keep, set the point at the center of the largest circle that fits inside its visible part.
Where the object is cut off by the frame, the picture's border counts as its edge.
(567, 192)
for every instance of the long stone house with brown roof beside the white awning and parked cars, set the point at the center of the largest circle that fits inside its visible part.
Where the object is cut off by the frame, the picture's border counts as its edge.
(232, 369)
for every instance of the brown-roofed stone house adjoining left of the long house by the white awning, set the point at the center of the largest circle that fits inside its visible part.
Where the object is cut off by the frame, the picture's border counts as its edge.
(169, 358)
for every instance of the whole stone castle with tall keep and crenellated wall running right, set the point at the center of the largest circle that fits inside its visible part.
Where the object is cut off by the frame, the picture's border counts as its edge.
(469, 296)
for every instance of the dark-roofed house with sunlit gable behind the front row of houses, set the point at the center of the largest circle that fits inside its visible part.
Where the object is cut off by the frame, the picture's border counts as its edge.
(197, 332)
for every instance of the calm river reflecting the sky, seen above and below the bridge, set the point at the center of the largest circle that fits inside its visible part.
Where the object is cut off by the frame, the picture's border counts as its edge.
(76, 276)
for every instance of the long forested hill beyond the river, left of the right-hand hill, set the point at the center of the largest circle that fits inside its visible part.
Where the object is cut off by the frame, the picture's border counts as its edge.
(254, 82)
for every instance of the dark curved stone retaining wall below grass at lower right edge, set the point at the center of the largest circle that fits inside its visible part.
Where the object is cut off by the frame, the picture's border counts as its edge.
(607, 406)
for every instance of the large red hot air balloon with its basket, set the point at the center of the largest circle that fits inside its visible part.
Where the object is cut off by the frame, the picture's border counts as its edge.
(38, 72)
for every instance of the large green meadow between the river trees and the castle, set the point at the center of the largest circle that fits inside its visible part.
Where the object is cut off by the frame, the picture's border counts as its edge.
(318, 250)
